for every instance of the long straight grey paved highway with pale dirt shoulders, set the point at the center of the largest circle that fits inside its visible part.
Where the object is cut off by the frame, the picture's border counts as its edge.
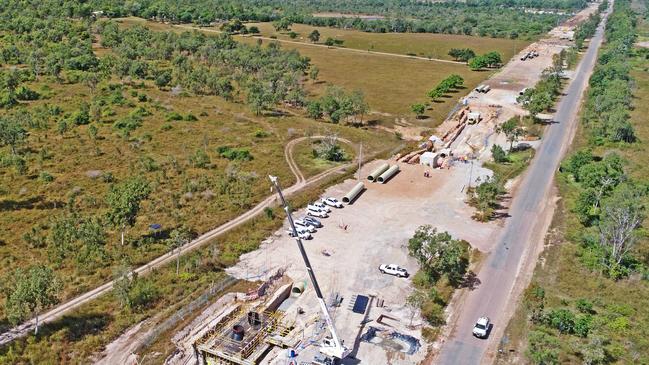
(500, 274)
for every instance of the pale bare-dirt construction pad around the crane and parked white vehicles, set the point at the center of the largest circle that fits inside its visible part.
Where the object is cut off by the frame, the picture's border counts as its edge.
(378, 226)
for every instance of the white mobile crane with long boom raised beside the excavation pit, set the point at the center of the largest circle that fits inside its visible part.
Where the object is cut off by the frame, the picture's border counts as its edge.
(330, 346)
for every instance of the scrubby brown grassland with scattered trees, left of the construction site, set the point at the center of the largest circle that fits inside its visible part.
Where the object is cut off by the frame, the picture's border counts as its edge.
(118, 143)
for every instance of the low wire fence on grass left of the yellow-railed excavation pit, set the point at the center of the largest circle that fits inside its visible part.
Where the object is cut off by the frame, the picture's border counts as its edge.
(185, 311)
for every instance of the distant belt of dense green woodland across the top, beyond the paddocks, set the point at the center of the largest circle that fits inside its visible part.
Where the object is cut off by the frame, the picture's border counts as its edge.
(498, 19)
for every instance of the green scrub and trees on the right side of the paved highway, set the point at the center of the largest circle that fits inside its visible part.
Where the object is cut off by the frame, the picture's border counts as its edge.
(588, 302)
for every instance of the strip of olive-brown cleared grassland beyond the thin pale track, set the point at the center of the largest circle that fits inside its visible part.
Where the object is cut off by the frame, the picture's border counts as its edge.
(420, 44)
